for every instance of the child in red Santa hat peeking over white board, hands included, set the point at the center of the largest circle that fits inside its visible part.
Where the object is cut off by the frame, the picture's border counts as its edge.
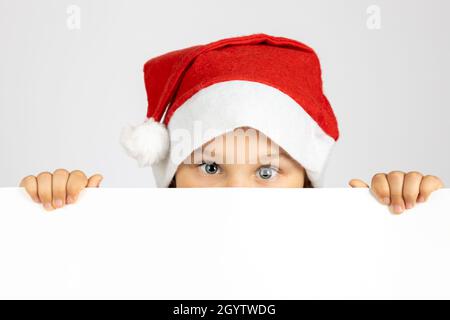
(247, 111)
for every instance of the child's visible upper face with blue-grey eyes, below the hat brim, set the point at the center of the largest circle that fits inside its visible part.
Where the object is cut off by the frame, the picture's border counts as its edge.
(242, 158)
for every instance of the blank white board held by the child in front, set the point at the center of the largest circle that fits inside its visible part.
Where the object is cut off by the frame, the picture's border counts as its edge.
(225, 243)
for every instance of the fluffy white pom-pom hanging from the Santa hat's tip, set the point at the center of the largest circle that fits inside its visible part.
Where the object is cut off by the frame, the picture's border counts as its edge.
(148, 142)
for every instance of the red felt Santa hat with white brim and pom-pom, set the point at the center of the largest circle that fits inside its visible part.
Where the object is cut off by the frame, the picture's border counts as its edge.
(272, 84)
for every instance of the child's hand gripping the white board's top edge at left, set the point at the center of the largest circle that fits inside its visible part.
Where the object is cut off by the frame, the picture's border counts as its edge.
(60, 188)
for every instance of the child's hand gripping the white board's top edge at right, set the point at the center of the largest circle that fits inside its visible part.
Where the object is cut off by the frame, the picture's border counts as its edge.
(400, 190)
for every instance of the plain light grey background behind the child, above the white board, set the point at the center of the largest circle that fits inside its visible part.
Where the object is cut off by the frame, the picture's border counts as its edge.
(65, 94)
